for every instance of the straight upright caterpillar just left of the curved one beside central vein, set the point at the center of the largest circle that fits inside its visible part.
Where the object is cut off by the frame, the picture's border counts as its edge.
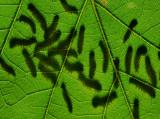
(92, 64)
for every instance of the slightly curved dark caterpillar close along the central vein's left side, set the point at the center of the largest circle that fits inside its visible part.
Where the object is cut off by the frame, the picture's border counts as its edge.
(105, 55)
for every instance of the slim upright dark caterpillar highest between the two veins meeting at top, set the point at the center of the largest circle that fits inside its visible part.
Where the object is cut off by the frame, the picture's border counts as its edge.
(81, 39)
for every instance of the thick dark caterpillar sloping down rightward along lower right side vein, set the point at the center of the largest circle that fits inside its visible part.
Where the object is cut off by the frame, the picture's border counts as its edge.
(147, 89)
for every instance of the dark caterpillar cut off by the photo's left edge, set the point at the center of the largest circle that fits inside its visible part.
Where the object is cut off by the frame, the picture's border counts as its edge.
(7, 67)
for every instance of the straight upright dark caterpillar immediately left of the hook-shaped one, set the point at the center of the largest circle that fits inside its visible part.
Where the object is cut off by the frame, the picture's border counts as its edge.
(128, 59)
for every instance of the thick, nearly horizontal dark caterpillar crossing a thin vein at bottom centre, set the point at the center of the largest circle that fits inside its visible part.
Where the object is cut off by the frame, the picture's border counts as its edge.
(101, 101)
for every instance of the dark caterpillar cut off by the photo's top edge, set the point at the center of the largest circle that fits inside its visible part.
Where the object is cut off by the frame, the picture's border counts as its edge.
(68, 7)
